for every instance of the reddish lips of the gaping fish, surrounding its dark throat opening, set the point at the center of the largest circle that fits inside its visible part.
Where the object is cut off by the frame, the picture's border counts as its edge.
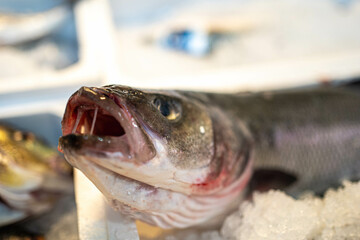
(134, 144)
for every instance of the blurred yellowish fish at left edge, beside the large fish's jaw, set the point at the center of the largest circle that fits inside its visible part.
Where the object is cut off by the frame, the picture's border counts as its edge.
(33, 175)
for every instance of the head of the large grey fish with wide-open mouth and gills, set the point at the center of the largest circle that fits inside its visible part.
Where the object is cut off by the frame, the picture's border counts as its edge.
(153, 154)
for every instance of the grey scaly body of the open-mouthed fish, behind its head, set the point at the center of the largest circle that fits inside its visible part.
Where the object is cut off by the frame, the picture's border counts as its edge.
(311, 133)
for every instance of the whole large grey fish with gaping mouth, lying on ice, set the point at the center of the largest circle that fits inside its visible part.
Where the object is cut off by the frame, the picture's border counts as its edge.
(177, 159)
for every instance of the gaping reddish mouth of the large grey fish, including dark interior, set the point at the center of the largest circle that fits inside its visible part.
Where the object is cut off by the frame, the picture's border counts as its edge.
(97, 122)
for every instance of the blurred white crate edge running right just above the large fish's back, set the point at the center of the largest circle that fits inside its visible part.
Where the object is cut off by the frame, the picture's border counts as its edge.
(282, 74)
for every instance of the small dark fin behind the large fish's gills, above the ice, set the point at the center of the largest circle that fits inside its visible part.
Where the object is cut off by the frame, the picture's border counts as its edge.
(266, 179)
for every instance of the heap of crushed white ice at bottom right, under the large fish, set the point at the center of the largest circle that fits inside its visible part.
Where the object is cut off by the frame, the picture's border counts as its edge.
(274, 215)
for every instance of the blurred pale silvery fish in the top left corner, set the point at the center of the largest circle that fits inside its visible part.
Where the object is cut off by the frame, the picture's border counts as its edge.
(16, 28)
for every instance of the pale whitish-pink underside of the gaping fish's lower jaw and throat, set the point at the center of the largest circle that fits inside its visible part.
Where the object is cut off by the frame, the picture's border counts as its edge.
(158, 206)
